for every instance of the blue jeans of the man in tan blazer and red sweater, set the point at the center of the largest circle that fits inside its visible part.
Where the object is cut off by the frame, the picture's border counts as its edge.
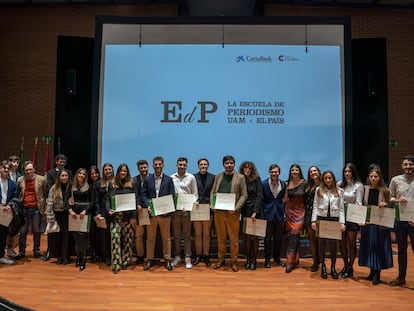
(32, 216)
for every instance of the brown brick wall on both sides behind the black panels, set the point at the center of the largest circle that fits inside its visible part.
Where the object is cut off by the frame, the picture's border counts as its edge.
(29, 54)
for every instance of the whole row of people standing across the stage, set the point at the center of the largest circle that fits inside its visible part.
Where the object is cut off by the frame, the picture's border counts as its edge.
(288, 208)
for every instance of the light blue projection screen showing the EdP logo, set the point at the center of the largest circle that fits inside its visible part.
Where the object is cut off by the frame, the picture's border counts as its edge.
(263, 102)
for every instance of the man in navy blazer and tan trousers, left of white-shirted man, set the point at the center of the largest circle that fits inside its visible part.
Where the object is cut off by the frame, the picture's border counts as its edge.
(158, 185)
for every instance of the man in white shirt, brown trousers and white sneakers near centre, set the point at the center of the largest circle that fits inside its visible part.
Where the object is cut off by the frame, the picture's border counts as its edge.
(184, 183)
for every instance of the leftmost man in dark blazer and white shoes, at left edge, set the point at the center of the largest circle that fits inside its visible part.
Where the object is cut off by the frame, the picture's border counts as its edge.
(8, 191)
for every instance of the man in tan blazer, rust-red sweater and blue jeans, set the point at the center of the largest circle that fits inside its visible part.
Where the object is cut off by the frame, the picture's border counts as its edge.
(32, 190)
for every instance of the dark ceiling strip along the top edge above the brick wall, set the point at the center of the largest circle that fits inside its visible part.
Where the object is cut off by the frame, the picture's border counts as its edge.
(222, 7)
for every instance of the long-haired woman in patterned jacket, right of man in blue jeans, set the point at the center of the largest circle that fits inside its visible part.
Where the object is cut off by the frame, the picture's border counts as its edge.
(57, 215)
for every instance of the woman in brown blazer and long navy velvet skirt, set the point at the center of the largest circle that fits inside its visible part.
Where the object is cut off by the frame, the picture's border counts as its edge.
(375, 246)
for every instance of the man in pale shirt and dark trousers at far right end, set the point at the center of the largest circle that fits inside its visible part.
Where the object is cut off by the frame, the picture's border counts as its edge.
(402, 192)
